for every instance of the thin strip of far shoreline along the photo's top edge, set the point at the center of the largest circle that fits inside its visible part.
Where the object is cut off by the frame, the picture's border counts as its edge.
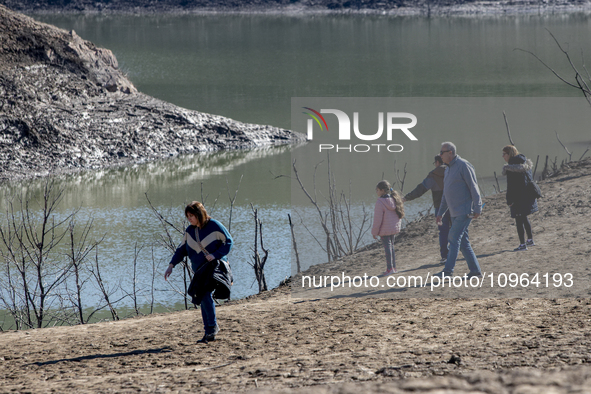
(341, 6)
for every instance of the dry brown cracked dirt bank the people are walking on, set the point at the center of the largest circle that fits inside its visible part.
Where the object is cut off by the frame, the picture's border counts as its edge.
(277, 342)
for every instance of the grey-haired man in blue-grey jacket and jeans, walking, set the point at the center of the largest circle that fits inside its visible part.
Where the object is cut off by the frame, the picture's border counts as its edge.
(462, 198)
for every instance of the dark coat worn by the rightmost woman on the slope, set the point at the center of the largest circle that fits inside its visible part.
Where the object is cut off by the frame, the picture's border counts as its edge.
(518, 171)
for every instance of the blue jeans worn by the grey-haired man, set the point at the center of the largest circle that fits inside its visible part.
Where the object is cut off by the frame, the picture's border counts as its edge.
(458, 240)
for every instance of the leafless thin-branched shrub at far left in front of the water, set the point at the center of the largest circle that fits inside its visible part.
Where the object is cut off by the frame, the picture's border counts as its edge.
(45, 262)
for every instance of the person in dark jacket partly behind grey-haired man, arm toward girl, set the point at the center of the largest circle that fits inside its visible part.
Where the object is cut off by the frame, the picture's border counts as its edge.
(434, 182)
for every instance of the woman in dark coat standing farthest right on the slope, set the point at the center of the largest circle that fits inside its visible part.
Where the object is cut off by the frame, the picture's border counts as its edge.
(518, 171)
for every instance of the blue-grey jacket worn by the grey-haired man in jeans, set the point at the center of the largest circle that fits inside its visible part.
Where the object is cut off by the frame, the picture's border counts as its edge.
(460, 189)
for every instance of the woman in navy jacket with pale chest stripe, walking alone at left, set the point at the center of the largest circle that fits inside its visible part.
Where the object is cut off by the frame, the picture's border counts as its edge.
(205, 240)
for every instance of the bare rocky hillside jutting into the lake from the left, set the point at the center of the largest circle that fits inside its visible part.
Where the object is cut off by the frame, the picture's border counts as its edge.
(64, 105)
